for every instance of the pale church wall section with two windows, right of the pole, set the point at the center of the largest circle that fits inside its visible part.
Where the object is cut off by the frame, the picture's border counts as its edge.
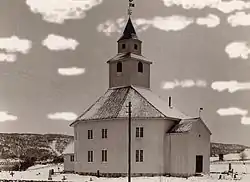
(152, 144)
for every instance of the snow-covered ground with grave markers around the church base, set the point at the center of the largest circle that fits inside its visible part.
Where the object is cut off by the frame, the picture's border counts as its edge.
(40, 172)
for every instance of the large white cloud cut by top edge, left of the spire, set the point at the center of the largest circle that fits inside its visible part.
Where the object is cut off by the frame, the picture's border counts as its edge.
(57, 11)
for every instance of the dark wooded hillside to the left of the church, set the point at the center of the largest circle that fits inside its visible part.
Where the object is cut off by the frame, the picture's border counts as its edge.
(37, 146)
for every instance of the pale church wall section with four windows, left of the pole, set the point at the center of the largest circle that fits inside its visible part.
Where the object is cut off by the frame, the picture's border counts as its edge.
(114, 143)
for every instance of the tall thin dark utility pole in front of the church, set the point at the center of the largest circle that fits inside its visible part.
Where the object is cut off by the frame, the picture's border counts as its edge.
(129, 142)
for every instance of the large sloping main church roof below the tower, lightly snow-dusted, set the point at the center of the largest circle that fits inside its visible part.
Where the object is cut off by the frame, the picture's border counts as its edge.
(145, 104)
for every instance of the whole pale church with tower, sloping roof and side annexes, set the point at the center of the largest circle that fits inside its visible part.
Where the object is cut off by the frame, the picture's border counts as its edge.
(164, 140)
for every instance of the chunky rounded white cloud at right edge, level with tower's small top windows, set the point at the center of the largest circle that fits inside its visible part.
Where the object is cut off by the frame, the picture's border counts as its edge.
(238, 50)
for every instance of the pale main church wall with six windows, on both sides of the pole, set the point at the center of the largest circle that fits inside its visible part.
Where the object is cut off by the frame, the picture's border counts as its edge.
(152, 145)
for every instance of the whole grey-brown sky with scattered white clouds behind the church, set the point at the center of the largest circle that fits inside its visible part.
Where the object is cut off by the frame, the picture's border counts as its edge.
(53, 57)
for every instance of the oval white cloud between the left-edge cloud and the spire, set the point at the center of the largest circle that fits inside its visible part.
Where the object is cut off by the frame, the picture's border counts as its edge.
(56, 42)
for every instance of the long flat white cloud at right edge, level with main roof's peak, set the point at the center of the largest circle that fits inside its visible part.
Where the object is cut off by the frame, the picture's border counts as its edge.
(231, 86)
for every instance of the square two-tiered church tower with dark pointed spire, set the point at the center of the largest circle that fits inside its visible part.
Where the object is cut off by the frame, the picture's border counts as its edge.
(129, 67)
